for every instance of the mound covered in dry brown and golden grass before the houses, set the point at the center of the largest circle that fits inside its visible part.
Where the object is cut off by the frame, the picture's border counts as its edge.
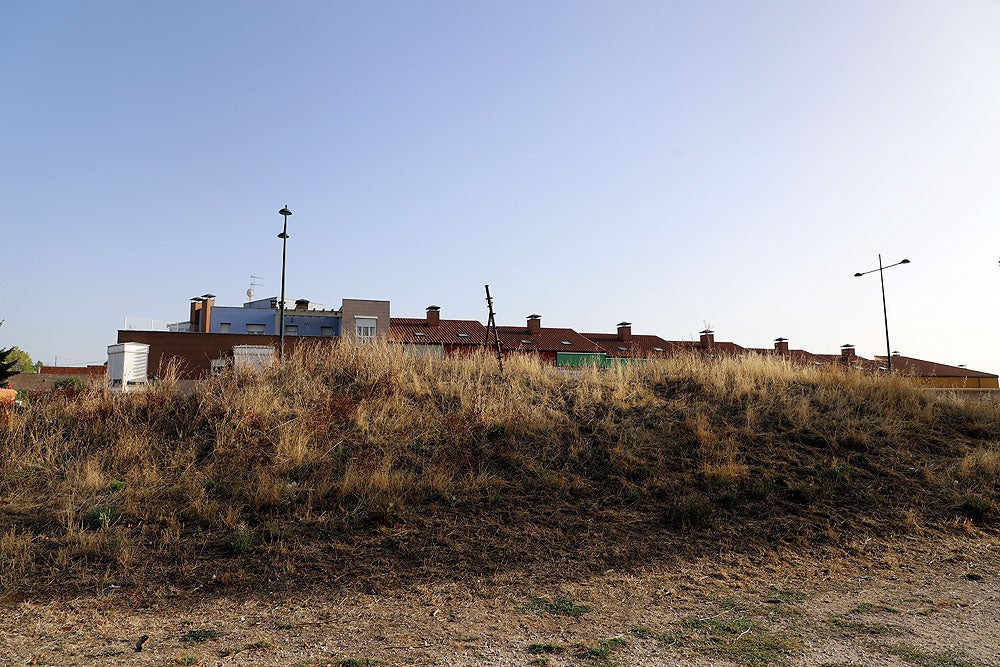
(372, 467)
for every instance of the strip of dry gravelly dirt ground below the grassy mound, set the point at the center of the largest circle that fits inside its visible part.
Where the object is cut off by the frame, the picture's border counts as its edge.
(926, 604)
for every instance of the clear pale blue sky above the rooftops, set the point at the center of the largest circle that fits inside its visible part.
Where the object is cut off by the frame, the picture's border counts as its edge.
(670, 164)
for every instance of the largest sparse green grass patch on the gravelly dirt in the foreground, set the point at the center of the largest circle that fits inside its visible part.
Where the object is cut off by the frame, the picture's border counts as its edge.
(736, 638)
